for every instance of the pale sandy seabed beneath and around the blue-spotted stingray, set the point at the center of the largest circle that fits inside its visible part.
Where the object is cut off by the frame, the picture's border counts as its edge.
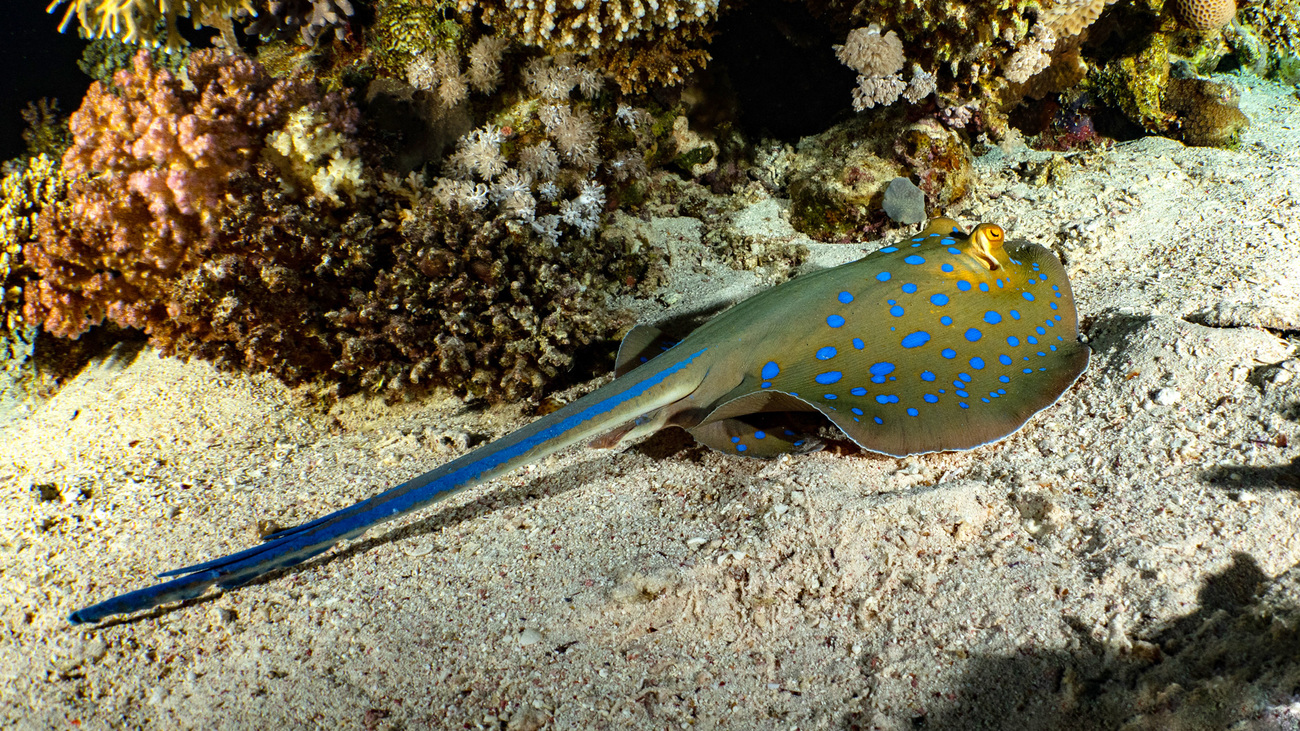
(1126, 561)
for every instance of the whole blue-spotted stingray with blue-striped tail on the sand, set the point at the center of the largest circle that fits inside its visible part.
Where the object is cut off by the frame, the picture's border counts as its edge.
(946, 341)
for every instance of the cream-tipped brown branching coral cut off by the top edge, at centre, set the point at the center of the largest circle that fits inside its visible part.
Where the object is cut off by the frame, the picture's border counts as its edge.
(643, 44)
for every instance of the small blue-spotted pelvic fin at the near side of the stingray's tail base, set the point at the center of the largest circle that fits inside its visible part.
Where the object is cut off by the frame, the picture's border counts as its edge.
(761, 425)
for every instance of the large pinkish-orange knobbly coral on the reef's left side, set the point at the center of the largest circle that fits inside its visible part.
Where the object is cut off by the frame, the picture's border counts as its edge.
(151, 170)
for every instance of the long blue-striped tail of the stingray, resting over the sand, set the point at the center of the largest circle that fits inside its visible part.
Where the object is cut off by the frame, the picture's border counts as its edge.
(649, 388)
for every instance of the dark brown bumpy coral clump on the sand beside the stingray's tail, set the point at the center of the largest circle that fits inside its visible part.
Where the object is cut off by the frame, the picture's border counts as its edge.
(411, 296)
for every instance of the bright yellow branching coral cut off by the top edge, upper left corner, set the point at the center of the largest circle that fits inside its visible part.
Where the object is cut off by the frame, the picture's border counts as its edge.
(136, 21)
